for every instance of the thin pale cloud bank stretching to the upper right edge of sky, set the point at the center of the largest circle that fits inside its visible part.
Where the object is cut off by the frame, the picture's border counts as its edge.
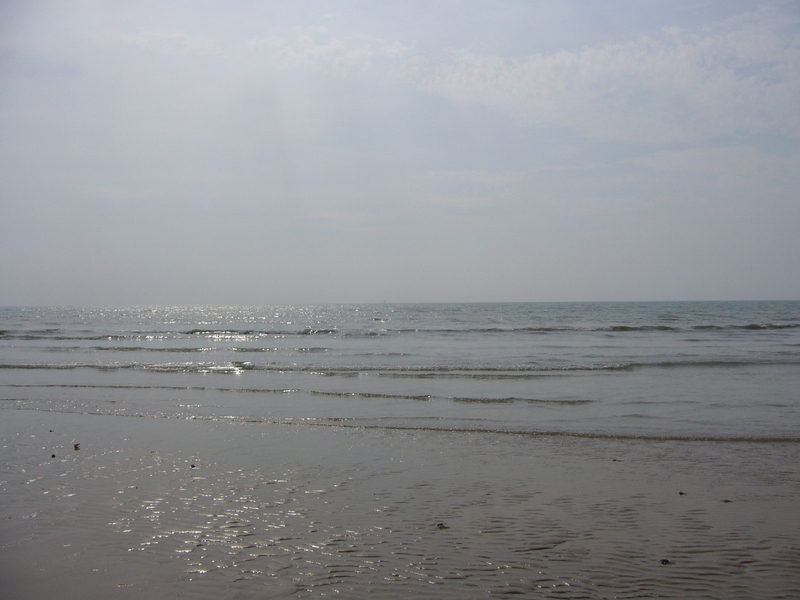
(742, 76)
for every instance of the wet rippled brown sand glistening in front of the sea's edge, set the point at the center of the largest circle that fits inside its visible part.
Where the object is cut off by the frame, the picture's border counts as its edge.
(169, 508)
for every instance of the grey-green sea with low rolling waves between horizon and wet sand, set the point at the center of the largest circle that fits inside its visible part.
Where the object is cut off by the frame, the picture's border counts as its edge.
(699, 370)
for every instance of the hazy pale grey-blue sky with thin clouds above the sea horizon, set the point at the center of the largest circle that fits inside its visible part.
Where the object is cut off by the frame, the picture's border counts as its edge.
(265, 152)
